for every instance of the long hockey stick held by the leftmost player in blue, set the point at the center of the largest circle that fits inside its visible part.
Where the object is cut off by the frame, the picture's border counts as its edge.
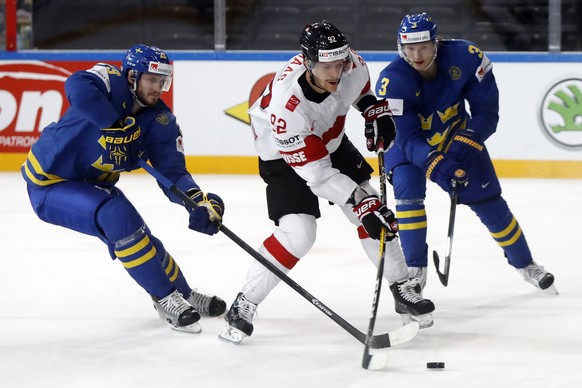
(395, 337)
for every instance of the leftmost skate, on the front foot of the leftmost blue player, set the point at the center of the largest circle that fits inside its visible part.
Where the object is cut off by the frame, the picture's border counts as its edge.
(178, 313)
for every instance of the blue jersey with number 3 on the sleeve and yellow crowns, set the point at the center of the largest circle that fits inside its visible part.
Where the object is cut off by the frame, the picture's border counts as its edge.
(428, 112)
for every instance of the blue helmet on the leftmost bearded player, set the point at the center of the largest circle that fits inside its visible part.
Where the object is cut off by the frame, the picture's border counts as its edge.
(147, 59)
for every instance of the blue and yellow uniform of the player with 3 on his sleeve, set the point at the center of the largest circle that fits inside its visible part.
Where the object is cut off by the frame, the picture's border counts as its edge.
(428, 114)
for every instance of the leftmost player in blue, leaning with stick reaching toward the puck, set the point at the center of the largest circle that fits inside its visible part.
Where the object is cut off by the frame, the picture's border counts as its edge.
(116, 117)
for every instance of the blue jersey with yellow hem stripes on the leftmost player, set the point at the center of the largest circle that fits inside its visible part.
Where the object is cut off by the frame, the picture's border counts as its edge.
(69, 150)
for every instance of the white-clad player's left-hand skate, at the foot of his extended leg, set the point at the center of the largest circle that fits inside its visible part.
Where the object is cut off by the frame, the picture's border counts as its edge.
(239, 320)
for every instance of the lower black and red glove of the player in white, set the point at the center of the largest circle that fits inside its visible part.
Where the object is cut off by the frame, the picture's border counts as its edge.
(374, 215)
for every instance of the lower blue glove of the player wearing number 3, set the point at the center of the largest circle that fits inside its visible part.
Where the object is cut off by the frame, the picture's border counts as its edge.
(443, 170)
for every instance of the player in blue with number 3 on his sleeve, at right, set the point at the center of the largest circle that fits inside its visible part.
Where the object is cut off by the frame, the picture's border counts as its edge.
(438, 139)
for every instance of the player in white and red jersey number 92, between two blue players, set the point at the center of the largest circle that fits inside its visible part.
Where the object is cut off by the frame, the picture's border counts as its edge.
(304, 154)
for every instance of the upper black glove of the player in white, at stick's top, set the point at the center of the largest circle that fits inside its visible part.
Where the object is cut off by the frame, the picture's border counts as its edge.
(379, 130)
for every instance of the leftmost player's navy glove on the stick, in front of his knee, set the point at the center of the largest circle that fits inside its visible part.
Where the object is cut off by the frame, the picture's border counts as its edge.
(206, 217)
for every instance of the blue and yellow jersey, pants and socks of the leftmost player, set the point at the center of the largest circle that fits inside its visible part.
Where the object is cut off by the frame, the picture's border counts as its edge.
(70, 184)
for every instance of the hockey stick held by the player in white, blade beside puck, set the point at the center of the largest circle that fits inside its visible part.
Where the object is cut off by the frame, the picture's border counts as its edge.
(377, 361)
